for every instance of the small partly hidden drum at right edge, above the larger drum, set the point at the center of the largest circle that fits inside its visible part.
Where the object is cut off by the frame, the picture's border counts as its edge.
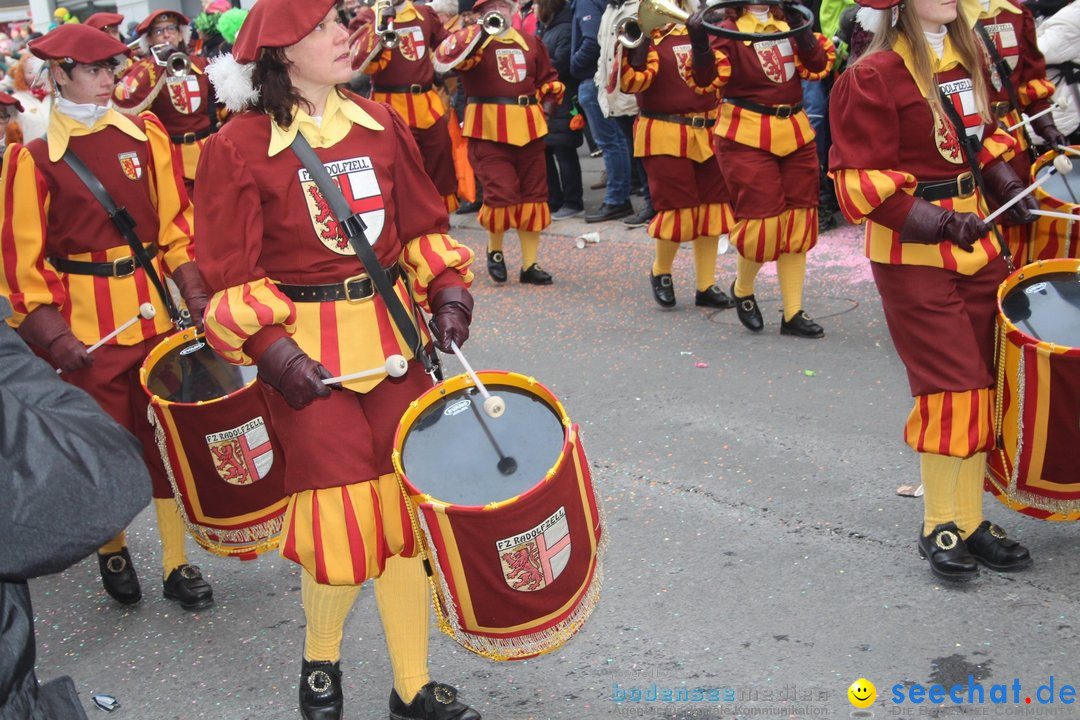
(1056, 238)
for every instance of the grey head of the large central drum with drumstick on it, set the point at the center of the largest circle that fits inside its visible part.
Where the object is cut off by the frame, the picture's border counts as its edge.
(460, 456)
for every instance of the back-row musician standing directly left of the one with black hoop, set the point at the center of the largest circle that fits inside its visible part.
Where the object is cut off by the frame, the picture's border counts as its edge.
(672, 135)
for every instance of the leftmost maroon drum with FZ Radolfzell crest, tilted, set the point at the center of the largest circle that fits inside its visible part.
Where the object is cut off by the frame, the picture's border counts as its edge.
(221, 454)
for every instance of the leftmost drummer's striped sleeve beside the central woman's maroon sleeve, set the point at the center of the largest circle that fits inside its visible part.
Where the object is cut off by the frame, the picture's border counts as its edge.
(175, 212)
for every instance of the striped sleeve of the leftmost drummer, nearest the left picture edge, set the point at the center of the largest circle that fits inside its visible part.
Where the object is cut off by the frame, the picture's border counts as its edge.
(26, 279)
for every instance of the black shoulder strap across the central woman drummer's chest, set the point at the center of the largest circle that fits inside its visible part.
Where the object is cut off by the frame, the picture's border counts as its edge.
(354, 227)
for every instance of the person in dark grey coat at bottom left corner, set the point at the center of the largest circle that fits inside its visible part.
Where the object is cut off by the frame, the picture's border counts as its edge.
(71, 479)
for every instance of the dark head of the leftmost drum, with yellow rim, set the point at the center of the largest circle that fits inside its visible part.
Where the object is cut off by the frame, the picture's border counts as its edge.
(194, 373)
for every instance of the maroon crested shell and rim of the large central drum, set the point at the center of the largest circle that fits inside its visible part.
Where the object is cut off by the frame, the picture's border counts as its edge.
(518, 577)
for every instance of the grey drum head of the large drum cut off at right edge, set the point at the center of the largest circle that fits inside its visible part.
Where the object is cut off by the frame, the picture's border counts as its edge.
(1047, 308)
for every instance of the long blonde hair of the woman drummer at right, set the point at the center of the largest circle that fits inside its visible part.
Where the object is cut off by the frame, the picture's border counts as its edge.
(971, 52)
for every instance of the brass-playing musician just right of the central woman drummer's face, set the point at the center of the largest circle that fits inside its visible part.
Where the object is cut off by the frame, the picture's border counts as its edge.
(403, 77)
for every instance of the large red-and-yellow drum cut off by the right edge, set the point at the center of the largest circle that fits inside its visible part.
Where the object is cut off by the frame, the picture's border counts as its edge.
(1037, 413)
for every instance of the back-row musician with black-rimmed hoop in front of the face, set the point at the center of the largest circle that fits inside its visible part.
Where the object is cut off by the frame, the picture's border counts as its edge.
(766, 148)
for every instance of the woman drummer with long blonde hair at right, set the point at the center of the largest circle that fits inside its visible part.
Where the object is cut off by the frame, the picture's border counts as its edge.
(899, 164)
